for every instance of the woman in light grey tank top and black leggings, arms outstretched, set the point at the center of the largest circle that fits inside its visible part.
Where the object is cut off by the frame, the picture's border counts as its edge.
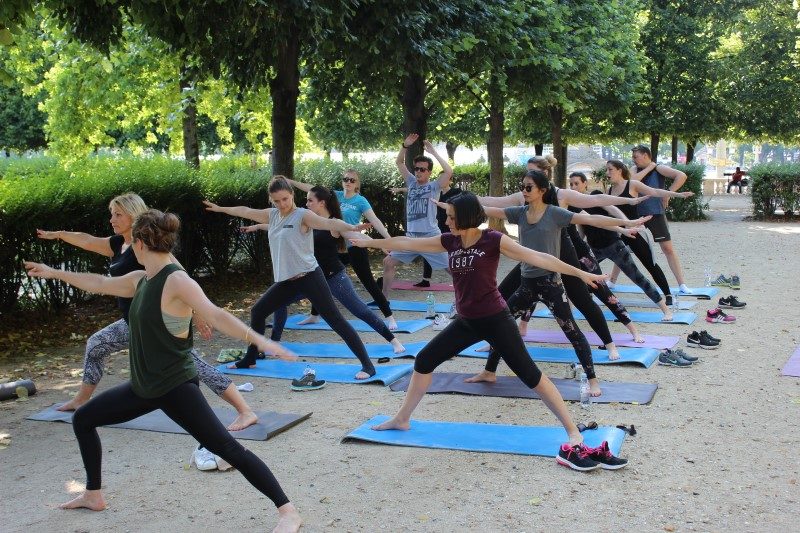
(294, 267)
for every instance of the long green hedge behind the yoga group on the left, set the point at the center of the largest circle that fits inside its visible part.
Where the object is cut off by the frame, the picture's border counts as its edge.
(39, 193)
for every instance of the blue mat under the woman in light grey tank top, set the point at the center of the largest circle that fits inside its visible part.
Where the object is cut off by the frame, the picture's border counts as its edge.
(327, 371)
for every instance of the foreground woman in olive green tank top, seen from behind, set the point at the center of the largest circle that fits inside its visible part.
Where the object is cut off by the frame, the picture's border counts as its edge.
(163, 374)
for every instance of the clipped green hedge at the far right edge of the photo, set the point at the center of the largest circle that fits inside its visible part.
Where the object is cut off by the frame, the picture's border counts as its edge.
(774, 186)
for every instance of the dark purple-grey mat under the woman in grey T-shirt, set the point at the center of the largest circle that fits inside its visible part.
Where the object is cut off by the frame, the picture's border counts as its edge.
(512, 387)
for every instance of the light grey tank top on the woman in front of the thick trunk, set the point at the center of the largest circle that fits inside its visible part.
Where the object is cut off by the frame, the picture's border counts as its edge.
(291, 250)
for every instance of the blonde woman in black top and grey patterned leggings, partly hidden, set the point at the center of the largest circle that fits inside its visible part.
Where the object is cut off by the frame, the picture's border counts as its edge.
(115, 336)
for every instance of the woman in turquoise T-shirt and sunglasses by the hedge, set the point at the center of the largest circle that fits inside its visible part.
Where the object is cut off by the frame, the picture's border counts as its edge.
(354, 208)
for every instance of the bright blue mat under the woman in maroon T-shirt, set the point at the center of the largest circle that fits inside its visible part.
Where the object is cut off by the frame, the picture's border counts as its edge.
(474, 437)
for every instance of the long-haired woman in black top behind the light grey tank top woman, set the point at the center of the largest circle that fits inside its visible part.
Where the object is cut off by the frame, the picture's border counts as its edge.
(327, 246)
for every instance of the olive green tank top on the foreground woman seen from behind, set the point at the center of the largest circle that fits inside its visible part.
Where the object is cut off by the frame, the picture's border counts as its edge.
(160, 361)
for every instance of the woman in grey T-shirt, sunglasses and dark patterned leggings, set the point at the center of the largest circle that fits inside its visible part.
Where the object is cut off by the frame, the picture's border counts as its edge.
(540, 227)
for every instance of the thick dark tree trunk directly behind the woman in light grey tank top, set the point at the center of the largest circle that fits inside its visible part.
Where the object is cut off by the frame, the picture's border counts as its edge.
(285, 88)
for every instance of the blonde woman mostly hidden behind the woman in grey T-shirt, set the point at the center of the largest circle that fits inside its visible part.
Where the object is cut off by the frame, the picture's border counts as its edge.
(578, 293)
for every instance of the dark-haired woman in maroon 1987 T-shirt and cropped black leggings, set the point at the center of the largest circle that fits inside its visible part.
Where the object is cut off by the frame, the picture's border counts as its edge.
(482, 314)
